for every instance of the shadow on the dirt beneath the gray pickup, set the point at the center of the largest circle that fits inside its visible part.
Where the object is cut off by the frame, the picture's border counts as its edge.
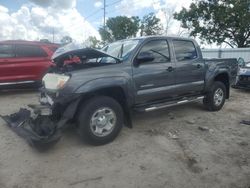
(141, 122)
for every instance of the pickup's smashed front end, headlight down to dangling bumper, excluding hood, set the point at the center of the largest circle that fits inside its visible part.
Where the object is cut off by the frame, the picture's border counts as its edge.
(42, 124)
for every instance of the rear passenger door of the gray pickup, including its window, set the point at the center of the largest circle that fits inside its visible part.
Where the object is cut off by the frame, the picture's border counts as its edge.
(189, 68)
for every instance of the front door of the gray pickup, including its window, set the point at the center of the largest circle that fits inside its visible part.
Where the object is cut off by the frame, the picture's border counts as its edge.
(153, 79)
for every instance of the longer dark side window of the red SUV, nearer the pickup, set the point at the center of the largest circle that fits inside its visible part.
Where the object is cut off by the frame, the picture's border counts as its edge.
(29, 51)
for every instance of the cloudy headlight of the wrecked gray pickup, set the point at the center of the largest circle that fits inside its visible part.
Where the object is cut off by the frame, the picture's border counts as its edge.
(54, 82)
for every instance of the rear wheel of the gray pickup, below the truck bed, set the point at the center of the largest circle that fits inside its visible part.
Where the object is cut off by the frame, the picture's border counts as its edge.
(216, 97)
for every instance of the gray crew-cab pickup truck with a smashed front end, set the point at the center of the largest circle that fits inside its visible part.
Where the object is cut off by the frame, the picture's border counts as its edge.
(100, 89)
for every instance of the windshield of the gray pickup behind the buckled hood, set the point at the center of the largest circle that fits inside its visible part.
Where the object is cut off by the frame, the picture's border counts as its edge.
(120, 49)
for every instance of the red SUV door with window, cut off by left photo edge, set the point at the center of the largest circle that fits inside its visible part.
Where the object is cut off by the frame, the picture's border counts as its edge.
(7, 57)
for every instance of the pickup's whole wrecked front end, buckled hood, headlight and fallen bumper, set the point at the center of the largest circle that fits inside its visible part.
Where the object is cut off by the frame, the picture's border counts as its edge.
(42, 124)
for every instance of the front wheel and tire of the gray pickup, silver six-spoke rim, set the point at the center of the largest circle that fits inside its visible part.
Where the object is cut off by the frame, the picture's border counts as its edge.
(100, 120)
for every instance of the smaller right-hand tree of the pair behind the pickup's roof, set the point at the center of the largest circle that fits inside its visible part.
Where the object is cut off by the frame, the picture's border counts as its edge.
(150, 25)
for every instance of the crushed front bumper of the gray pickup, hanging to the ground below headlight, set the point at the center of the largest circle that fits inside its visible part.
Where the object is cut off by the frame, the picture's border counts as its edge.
(39, 125)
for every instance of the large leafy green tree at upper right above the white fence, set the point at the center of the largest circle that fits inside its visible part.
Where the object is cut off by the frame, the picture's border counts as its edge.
(218, 21)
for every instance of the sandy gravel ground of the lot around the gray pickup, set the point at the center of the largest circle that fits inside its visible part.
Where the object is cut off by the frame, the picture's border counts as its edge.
(183, 146)
